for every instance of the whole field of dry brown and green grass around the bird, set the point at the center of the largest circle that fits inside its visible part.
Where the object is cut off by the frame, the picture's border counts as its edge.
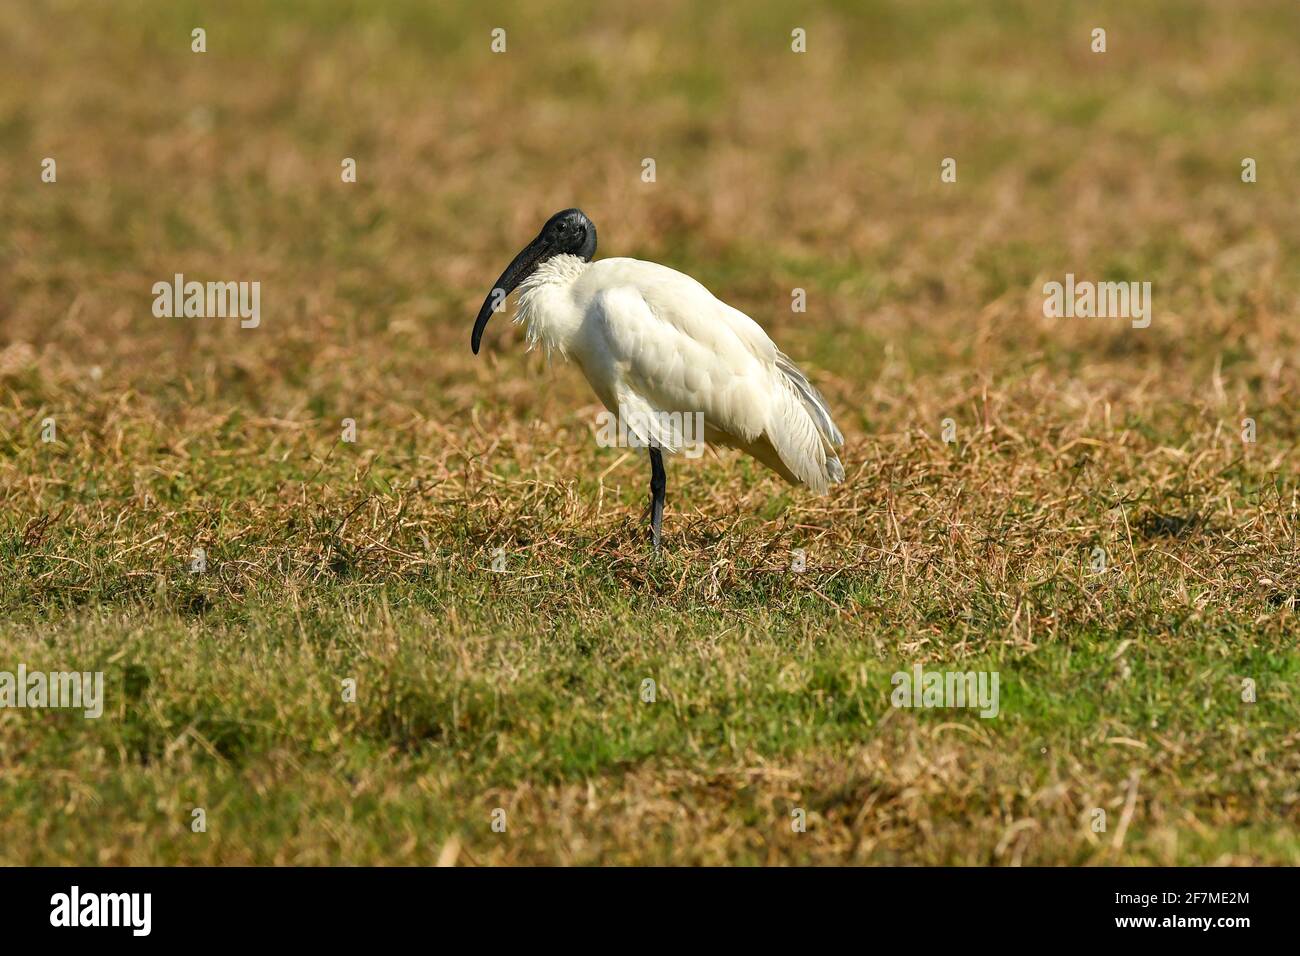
(521, 690)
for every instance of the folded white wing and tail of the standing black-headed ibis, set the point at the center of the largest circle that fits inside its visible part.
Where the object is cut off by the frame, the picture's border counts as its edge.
(674, 348)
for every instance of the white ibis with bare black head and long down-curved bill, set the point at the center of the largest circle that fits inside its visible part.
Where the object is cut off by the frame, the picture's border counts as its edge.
(656, 345)
